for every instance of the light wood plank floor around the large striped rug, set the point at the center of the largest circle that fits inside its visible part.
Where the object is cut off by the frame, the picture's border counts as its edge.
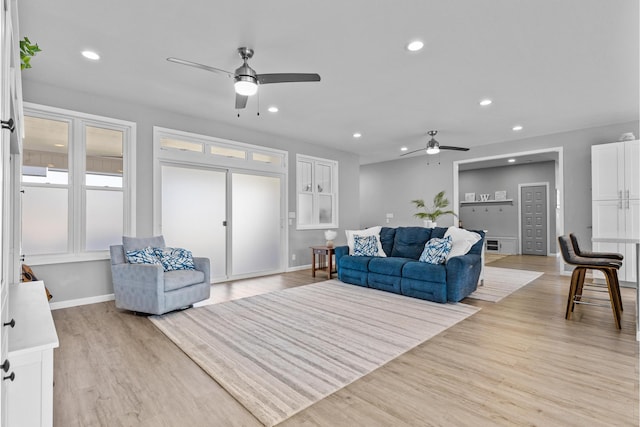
(516, 362)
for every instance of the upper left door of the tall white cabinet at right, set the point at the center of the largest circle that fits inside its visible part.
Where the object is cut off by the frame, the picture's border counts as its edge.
(607, 171)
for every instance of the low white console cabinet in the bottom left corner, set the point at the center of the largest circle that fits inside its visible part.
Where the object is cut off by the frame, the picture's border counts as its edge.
(31, 344)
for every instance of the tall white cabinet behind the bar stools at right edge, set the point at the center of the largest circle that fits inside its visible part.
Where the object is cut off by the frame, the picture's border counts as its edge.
(615, 193)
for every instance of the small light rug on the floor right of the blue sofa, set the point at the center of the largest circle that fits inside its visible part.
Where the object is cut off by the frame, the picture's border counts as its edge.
(501, 282)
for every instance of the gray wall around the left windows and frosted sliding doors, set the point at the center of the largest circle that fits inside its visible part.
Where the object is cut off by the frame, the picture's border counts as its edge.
(89, 279)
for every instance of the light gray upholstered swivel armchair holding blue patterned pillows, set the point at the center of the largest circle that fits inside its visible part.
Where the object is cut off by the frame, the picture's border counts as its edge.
(147, 288)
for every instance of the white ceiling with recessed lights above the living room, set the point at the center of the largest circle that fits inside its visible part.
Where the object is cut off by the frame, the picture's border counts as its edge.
(550, 66)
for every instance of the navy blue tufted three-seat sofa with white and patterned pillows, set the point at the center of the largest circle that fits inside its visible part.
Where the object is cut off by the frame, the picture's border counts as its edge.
(402, 273)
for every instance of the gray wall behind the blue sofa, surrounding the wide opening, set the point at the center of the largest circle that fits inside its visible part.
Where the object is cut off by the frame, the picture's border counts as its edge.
(389, 187)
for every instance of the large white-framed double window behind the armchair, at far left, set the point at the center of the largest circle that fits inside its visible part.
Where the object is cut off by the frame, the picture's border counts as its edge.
(77, 184)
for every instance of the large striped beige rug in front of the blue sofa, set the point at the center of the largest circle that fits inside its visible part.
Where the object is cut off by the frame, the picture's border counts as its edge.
(280, 352)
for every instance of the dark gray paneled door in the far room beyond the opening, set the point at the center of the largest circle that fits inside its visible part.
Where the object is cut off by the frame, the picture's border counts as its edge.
(533, 201)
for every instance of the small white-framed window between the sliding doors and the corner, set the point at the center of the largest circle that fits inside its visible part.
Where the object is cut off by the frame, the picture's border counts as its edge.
(317, 193)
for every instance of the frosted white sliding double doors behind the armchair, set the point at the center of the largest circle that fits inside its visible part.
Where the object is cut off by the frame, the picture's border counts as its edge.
(234, 218)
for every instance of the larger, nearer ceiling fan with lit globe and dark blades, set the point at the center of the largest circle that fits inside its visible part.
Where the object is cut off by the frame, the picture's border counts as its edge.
(246, 80)
